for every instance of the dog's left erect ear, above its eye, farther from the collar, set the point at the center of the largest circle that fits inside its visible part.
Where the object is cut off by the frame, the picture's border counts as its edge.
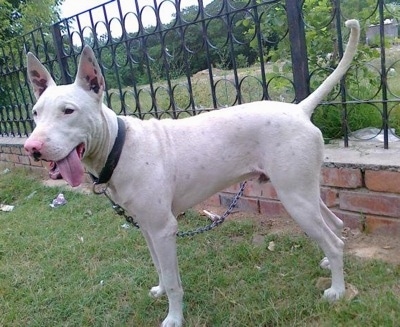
(38, 75)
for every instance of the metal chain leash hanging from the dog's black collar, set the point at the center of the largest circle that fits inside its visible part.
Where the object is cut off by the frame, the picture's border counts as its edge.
(218, 220)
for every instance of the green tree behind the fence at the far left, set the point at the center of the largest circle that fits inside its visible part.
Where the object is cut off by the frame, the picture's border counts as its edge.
(17, 18)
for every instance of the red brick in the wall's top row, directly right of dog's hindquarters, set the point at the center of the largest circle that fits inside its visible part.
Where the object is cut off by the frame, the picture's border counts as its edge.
(341, 177)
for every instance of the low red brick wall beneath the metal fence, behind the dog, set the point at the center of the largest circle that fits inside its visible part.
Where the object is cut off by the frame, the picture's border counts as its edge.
(363, 196)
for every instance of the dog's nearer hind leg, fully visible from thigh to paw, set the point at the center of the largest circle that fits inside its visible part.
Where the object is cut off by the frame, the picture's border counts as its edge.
(302, 203)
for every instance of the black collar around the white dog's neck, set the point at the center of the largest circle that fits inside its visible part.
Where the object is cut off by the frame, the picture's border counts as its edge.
(113, 157)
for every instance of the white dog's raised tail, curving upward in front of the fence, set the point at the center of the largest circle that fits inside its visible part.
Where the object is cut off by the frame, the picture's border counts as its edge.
(310, 103)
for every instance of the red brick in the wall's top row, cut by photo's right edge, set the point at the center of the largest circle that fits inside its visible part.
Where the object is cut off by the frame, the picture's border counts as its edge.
(383, 181)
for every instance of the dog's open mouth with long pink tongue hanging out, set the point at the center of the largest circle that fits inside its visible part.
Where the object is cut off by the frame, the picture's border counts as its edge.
(70, 168)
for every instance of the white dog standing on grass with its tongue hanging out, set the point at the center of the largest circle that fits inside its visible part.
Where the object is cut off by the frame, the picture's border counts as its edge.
(167, 166)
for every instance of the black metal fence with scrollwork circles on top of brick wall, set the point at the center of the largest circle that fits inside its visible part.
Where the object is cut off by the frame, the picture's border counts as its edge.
(167, 60)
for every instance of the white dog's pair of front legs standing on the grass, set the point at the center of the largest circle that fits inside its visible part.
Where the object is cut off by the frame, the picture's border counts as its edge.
(162, 245)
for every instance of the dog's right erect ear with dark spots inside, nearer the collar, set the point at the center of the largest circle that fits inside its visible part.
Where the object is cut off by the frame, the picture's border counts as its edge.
(89, 75)
